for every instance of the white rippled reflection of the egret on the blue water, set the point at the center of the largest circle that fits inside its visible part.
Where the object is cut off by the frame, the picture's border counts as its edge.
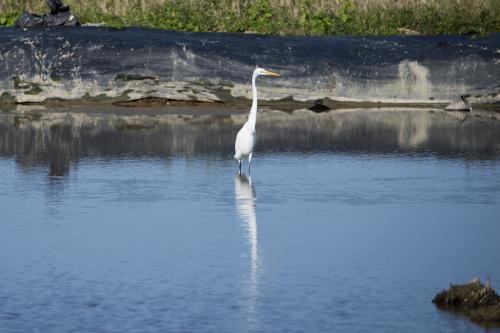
(245, 207)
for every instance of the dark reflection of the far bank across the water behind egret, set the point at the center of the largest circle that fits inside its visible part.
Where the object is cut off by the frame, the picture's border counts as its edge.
(58, 140)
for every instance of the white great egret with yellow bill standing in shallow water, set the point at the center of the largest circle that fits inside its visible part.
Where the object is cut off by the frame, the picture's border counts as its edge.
(245, 139)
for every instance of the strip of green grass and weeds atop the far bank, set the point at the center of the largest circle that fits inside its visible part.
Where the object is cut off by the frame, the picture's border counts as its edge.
(302, 17)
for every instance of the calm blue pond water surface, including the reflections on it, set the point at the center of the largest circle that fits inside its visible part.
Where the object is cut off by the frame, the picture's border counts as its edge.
(349, 222)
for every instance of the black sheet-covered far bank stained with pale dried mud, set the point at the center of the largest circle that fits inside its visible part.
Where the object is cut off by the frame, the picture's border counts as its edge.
(106, 65)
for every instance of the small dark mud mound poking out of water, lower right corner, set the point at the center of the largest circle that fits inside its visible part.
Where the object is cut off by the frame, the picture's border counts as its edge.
(480, 303)
